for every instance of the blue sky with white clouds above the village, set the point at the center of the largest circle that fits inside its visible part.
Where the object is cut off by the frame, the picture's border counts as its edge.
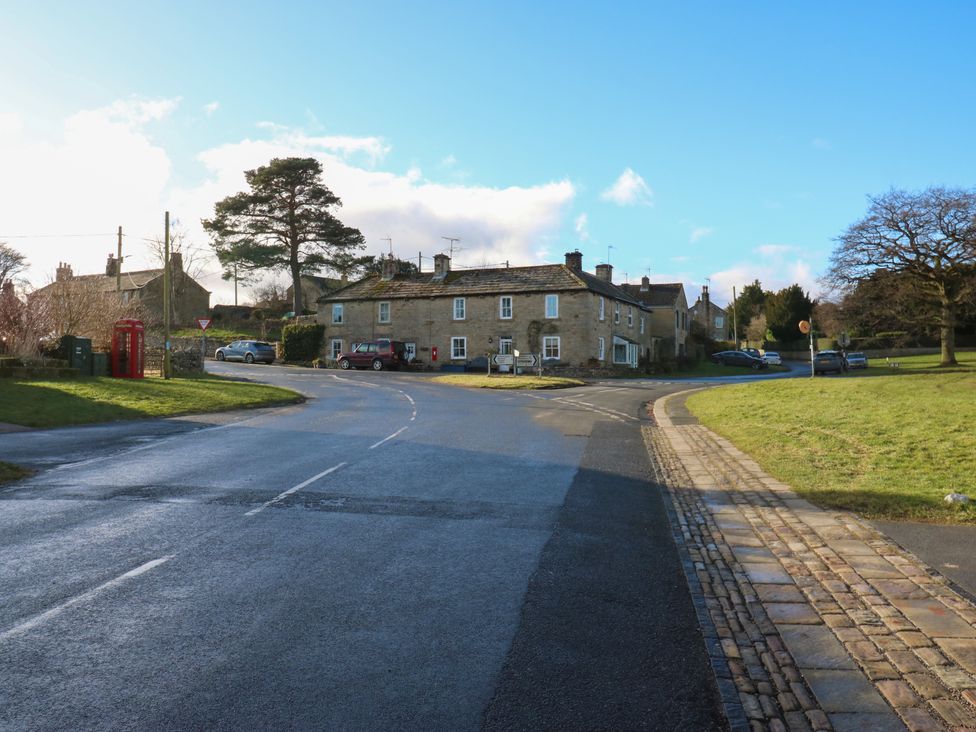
(701, 142)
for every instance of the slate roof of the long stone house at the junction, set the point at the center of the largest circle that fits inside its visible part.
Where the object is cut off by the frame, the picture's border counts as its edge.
(502, 280)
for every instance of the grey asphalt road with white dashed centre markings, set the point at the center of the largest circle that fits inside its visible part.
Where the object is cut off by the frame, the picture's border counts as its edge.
(390, 555)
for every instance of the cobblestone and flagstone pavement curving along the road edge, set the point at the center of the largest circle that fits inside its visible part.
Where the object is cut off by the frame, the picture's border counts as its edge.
(814, 620)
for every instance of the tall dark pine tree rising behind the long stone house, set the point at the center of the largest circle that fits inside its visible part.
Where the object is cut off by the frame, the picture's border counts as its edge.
(283, 223)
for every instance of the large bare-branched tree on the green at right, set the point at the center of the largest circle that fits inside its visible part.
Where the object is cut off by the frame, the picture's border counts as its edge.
(929, 238)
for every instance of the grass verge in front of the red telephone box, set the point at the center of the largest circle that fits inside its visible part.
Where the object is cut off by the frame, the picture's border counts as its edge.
(56, 403)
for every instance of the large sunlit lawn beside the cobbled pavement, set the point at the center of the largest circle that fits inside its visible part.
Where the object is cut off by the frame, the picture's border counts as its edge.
(886, 444)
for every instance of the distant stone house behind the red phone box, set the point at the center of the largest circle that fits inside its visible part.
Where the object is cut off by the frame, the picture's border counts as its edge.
(143, 287)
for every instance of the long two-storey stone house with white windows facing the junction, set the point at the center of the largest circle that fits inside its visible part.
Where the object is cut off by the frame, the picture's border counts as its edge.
(573, 319)
